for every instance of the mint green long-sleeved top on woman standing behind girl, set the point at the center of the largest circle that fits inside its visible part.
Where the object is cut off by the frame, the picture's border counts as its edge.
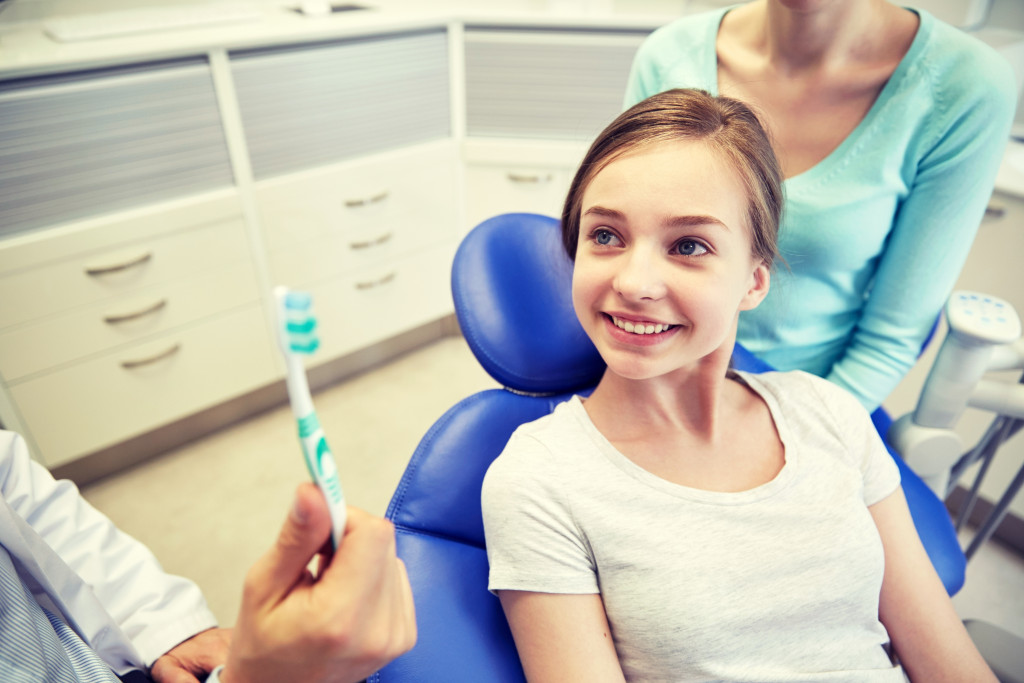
(876, 234)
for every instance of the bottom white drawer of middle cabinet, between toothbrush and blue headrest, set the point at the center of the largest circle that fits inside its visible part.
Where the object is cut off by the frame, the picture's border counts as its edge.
(378, 304)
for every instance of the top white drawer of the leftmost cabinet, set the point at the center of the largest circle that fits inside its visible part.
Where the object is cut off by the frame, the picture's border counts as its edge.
(107, 273)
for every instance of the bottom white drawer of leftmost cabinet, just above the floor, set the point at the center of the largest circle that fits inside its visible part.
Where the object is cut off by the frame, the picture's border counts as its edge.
(100, 403)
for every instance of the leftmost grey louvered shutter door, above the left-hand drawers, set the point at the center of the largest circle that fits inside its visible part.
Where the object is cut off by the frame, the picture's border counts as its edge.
(80, 145)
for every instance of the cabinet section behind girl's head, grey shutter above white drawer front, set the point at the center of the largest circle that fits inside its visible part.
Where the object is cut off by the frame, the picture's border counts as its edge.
(536, 98)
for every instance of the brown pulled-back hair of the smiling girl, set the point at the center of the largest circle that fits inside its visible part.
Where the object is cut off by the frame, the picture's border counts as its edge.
(724, 124)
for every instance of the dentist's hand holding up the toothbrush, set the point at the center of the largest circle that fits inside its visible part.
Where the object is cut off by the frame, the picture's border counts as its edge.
(342, 626)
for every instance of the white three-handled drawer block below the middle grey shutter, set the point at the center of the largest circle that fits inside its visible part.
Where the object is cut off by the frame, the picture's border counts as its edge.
(373, 241)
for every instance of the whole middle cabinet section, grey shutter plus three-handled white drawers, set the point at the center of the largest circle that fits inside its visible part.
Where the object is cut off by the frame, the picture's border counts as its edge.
(356, 179)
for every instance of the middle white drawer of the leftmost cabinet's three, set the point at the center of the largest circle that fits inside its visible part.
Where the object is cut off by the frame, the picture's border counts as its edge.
(125, 320)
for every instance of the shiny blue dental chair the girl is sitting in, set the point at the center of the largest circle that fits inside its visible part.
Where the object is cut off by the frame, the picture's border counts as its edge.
(511, 284)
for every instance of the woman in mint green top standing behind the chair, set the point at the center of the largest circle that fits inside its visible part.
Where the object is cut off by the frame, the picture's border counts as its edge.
(889, 126)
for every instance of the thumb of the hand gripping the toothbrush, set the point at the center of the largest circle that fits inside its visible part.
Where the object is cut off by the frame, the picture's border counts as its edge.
(304, 534)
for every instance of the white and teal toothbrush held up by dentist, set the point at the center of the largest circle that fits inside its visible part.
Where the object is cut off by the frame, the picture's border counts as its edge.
(297, 336)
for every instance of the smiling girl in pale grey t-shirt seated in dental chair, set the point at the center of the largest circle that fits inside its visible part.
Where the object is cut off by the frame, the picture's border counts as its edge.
(687, 523)
